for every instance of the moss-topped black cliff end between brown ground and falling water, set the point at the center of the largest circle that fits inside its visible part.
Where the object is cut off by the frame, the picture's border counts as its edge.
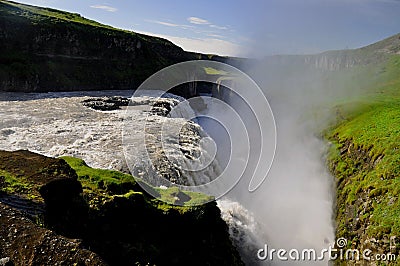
(157, 227)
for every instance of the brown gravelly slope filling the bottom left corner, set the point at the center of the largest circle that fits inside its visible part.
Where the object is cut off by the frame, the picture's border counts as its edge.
(25, 243)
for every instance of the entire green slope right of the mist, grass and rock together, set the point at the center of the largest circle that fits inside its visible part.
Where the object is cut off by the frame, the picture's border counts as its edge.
(365, 155)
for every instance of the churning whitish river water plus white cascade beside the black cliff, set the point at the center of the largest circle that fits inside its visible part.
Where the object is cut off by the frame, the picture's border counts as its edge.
(57, 124)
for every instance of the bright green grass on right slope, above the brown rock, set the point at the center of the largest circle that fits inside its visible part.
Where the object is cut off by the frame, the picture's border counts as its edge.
(377, 134)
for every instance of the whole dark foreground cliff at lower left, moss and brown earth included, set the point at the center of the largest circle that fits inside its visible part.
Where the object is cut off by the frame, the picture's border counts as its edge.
(58, 213)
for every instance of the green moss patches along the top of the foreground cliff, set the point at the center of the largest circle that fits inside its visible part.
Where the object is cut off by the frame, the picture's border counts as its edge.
(100, 186)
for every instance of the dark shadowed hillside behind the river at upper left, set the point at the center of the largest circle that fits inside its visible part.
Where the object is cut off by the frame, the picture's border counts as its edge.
(43, 49)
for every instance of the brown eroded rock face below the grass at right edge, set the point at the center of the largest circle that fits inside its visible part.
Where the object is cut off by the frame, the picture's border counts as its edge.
(355, 219)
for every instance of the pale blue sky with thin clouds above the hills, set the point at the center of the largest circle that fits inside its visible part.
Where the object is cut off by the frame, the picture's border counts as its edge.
(247, 27)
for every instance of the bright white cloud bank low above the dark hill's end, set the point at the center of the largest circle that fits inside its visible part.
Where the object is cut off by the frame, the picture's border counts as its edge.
(204, 45)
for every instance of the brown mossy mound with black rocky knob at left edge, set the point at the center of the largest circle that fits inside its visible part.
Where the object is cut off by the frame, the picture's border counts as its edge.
(43, 188)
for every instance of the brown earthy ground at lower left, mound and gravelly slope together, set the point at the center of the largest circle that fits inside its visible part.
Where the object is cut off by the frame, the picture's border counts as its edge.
(38, 187)
